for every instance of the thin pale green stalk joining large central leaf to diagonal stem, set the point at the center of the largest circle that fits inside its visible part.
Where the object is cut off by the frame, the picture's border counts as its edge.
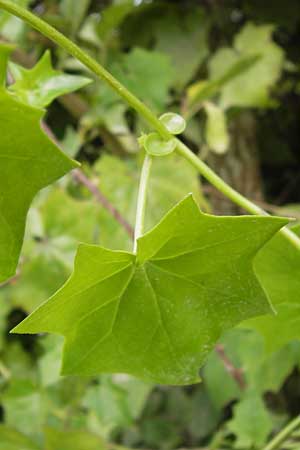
(141, 201)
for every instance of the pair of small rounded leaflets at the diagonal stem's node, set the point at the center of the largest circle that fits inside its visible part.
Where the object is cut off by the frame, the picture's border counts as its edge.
(155, 145)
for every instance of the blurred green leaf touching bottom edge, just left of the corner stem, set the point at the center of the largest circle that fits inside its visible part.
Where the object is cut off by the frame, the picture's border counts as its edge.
(251, 423)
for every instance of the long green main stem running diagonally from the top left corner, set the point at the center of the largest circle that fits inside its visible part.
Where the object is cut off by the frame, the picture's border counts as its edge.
(61, 40)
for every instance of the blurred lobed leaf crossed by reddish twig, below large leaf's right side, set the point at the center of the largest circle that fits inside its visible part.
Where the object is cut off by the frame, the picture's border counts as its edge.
(262, 372)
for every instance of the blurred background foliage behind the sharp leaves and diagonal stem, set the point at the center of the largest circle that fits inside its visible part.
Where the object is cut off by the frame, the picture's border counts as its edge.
(231, 68)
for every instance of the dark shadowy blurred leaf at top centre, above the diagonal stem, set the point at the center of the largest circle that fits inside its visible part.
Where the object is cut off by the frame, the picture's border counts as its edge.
(180, 33)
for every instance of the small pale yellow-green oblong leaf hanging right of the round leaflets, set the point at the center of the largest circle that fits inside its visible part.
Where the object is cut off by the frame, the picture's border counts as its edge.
(216, 133)
